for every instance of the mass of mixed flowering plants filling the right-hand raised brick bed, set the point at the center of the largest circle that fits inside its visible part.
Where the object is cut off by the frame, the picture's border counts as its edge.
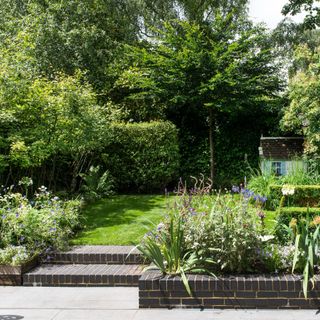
(225, 233)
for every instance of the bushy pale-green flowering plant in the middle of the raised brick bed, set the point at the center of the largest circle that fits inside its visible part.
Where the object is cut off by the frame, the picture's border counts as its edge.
(229, 231)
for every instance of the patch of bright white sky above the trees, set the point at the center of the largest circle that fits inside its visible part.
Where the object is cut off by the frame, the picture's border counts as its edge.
(269, 11)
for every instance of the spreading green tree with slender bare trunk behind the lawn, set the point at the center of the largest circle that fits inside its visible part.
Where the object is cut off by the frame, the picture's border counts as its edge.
(212, 68)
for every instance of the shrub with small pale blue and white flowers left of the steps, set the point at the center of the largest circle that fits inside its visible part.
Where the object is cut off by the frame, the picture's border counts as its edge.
(43, 223)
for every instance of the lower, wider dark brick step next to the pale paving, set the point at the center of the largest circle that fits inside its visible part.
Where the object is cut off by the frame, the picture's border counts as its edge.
(84, 275)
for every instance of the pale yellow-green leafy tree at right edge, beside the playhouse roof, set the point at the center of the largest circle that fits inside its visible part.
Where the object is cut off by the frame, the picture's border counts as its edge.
(303, 114)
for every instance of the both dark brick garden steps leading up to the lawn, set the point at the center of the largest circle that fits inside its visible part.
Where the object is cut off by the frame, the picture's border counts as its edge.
(89, 266)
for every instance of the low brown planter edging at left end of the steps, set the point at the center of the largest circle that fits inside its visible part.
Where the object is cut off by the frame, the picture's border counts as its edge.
(12, 275)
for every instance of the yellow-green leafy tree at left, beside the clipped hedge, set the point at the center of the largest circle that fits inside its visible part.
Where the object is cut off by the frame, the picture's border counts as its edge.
(45, 120)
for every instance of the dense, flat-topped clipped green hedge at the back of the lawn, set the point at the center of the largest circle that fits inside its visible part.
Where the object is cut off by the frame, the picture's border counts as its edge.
(142, 156)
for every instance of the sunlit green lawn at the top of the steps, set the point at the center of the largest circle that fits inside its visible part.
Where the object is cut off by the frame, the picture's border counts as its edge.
(120, 220)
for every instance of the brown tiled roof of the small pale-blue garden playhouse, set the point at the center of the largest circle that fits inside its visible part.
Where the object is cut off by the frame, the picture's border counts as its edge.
(281, 148)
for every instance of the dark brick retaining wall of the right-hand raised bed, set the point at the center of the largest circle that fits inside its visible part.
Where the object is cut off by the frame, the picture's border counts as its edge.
(254, 291)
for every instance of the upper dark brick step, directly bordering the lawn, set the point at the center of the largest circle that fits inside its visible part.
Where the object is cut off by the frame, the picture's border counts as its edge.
(98, 255)
